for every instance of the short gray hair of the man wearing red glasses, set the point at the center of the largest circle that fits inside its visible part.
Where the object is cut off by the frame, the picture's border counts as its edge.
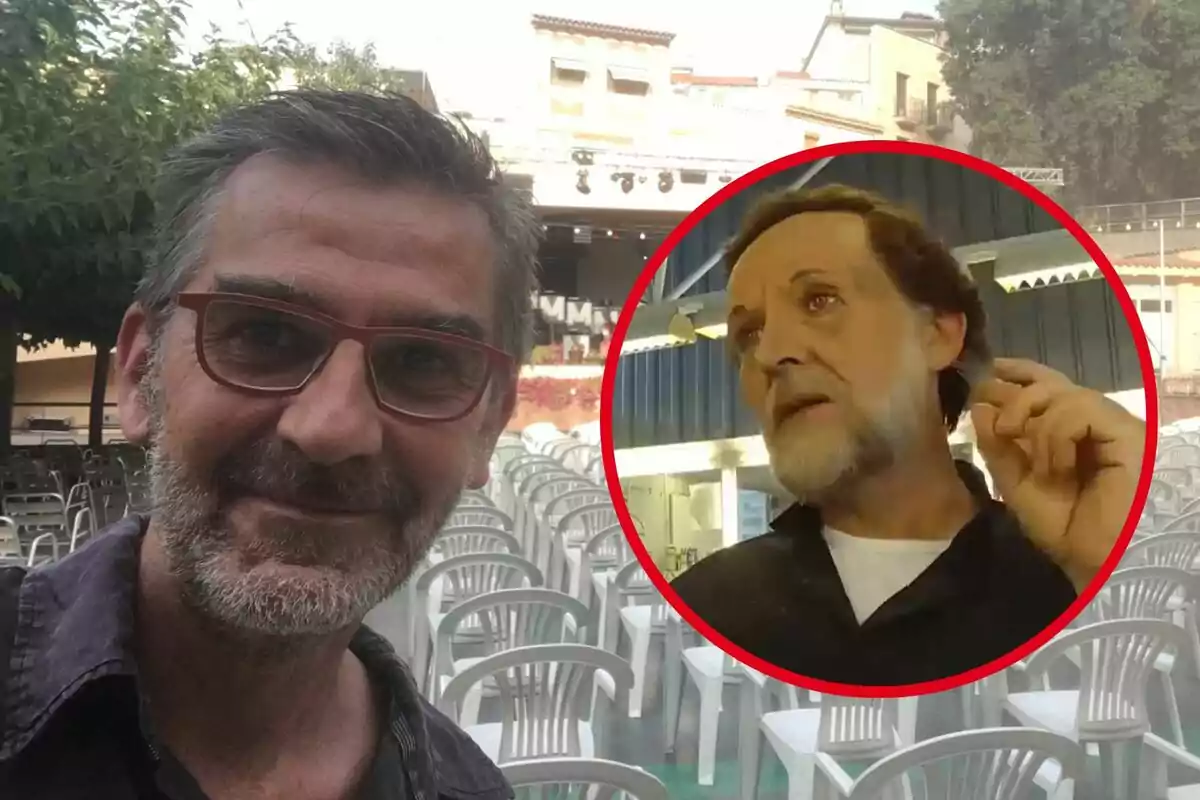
(385, 139)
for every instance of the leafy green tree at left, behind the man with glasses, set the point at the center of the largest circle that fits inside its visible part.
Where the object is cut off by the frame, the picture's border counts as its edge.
(93, 95)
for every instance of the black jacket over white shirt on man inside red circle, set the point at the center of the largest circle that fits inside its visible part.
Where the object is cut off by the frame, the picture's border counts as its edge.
(779, 597)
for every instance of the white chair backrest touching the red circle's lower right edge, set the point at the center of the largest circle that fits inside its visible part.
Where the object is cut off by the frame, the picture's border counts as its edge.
(1117, 660)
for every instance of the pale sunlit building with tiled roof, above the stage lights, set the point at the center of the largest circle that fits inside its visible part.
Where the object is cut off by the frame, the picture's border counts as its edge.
(609, 121)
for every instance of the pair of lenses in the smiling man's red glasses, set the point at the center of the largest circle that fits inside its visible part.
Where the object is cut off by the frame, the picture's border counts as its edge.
(255, 347)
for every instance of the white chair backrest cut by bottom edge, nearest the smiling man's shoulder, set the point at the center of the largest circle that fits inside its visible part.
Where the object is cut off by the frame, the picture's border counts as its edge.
(581, 779)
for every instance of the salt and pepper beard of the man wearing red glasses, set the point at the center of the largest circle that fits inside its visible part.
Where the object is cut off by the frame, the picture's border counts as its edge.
(347, 574)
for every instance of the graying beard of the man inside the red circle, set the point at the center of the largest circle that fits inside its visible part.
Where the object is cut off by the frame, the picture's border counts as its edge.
(875, 437)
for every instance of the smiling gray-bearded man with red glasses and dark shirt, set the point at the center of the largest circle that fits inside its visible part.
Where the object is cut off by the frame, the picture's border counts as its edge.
(321, 360)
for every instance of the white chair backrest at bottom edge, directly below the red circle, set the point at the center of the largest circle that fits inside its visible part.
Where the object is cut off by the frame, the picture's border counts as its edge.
(987, 765)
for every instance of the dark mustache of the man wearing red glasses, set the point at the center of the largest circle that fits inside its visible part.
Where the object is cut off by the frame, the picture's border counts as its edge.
(280, 472)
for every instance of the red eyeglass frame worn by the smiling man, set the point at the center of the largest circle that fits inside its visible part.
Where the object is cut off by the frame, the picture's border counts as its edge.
(199, 302)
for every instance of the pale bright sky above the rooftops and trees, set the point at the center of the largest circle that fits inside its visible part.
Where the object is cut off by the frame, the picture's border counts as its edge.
(464, 45)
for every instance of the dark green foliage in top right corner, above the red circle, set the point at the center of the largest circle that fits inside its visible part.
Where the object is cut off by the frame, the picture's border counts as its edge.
(1107, 89)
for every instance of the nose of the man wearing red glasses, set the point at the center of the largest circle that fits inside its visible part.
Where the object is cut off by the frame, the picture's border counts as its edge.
(335, 418)
